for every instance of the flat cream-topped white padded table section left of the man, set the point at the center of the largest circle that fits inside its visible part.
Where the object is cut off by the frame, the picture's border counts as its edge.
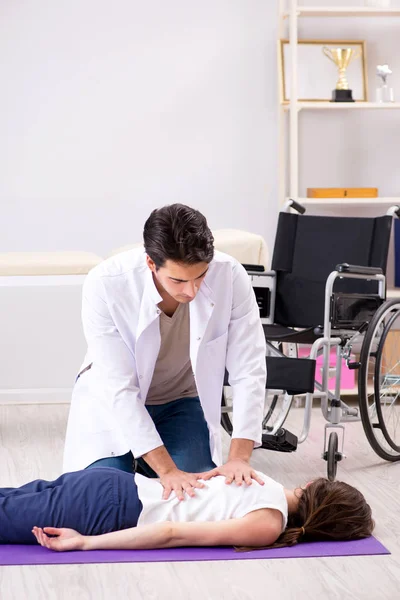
(42, 337)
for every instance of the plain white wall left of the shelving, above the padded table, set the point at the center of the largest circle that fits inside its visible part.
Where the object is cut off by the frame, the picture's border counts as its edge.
(110, 109)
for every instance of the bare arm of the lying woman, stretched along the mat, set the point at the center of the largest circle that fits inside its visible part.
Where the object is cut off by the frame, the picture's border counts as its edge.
(259, 528)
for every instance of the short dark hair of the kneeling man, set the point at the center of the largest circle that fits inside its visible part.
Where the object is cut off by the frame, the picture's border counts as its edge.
(178, 233)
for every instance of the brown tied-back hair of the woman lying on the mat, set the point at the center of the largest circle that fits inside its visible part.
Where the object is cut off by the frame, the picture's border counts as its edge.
(327, 510)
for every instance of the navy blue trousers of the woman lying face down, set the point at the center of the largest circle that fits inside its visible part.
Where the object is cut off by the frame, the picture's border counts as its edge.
(93, 502)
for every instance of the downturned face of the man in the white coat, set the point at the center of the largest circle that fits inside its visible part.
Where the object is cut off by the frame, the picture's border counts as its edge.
(180, 281)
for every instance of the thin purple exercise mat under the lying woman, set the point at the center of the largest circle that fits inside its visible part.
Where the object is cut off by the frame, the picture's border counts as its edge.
(36, 555)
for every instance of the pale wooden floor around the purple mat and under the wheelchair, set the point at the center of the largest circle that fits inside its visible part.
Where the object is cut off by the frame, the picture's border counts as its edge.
(31, 445)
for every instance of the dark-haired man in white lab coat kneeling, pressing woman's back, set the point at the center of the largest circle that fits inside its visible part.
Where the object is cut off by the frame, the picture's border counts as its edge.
(161, 324)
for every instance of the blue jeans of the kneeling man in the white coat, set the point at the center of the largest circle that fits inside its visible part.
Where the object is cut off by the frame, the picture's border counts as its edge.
(184, 432)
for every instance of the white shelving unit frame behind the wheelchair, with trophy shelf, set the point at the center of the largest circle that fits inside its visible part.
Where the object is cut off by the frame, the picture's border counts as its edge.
(289, 14)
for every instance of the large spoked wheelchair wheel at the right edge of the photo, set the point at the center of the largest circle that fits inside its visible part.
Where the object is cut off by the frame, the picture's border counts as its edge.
(379, 381)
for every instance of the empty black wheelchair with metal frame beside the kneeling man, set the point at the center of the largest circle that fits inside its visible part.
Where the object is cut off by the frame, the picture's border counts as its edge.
(327, 289)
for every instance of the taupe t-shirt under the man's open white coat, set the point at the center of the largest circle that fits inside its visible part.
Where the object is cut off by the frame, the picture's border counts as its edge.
(173, 375)
